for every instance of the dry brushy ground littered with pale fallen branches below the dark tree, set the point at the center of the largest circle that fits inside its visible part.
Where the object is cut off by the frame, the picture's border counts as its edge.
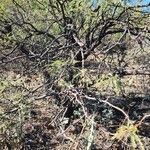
(36, 120)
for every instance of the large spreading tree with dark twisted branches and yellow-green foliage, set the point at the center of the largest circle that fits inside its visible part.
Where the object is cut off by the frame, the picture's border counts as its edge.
(38, 33)
